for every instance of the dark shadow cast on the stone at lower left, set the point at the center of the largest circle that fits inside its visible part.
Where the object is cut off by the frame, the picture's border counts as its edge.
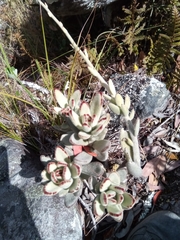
(16, 222)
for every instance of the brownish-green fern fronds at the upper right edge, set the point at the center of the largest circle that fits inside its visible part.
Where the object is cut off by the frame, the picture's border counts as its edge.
(161, 58)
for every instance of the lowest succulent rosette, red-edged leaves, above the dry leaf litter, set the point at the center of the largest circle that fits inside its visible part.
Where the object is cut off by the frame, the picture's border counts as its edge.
(112, 198)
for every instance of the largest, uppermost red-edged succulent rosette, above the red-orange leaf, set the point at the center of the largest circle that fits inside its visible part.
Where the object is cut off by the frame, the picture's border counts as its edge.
(87, 120)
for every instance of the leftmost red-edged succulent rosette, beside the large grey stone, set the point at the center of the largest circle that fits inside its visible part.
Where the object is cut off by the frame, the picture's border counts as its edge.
(61, 175)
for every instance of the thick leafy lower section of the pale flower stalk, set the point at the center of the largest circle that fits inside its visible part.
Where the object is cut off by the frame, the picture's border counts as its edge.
(129, 137)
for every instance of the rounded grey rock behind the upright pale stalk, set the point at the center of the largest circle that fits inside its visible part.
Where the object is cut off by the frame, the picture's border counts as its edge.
(149, 96)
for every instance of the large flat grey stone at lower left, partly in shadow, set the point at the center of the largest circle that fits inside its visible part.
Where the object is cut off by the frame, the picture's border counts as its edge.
(25, 214)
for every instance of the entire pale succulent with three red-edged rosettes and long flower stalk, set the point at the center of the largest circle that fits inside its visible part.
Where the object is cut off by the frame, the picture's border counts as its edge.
(83, 148)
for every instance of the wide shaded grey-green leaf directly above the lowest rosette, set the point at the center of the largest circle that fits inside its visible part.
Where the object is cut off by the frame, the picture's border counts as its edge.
(95, 169)
